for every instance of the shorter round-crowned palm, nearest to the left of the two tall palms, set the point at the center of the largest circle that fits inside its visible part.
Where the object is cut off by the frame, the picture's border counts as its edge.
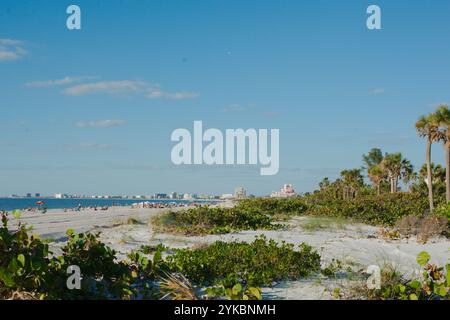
(396, 167)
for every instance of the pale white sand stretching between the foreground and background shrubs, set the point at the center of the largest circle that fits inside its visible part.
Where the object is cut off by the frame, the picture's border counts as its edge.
(356, 245)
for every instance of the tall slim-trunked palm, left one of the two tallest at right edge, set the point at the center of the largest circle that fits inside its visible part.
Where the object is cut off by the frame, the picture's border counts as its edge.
(427, 127)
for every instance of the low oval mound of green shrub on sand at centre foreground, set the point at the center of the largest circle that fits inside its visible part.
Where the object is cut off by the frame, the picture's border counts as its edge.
(254, 264)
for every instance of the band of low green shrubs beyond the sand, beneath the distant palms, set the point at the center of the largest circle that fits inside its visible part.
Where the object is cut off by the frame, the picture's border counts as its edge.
(328, 209)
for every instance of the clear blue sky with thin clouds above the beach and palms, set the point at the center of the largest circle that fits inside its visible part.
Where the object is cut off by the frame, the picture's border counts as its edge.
(310, 68)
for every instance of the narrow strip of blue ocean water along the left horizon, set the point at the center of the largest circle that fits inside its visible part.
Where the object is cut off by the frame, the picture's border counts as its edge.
(9, 204)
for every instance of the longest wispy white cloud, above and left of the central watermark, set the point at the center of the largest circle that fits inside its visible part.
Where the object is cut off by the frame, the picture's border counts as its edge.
(127, 87)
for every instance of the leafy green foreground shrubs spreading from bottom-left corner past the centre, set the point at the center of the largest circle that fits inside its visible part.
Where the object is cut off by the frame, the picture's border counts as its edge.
(233, 270)
